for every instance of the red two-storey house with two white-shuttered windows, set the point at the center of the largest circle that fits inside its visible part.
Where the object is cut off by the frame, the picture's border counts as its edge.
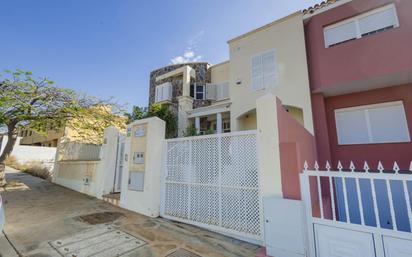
(360, 69)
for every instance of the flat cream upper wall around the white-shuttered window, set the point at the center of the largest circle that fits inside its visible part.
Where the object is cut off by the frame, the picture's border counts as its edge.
(286, 36)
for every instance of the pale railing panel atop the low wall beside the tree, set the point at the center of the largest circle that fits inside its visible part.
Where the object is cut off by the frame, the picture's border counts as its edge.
(73, 151)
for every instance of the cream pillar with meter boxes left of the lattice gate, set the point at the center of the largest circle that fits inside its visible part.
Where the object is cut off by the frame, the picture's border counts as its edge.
(143, 168)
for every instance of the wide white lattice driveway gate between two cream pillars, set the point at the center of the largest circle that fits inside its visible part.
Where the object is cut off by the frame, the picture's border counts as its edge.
(212, 182)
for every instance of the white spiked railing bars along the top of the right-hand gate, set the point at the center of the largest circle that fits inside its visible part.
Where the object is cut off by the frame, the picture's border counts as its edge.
(378, 200)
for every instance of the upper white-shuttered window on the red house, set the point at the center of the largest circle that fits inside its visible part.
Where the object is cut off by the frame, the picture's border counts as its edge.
(368, 23)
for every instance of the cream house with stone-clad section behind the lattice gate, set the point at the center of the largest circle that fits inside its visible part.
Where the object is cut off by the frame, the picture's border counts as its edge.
(222, 98)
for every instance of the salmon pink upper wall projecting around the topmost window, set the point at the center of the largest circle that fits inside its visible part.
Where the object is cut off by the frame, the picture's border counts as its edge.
(375, 55)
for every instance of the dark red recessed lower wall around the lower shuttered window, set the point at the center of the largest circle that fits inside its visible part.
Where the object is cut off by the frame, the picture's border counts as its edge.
(387, 153)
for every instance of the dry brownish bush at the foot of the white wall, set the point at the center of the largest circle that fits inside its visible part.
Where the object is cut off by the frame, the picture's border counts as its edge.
(34, 168)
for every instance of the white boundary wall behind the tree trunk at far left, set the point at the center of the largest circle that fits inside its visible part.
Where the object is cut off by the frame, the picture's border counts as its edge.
(25, 153)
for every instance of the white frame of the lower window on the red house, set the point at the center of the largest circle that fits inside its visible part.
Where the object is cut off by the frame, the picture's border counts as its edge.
(369, 130)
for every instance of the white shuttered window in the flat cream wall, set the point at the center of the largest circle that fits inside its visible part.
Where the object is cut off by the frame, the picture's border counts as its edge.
(263, 70)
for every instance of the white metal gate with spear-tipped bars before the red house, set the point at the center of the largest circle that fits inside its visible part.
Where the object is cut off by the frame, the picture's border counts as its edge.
(358, 213)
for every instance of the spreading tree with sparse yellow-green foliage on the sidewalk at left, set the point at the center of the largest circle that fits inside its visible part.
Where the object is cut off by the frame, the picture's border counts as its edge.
(38, 105)
